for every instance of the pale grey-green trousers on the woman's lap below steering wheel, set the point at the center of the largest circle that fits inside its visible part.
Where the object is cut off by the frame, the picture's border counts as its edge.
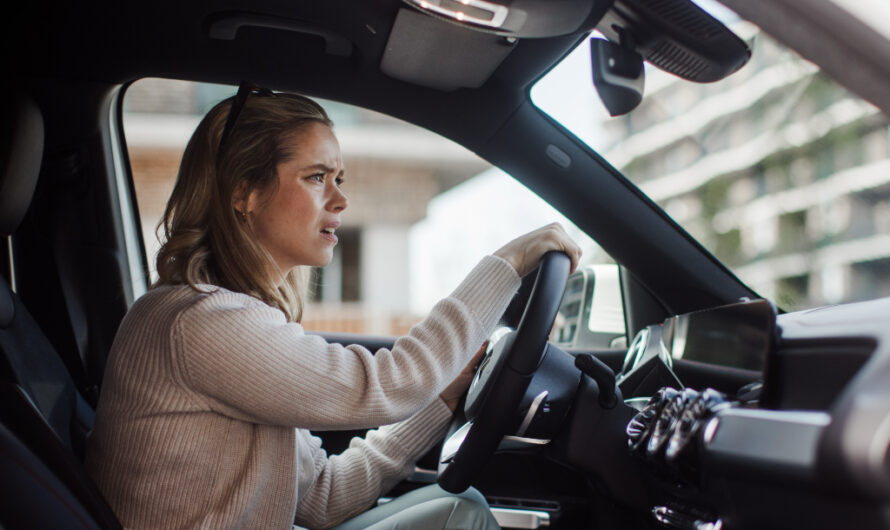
(428, 508)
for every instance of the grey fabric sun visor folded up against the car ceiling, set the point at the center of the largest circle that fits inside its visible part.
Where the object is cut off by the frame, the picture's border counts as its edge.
(437, 54)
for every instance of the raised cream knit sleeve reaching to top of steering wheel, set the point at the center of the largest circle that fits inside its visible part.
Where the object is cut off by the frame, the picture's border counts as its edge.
(247, 362)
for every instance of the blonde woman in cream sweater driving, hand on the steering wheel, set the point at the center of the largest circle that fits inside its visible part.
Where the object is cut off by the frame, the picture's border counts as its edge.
(212, 384)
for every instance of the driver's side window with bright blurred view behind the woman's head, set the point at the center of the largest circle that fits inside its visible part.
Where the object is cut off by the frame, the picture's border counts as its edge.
(422, 210)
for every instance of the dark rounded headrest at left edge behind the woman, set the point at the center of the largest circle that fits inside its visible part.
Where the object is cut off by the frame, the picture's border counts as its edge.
(21, 150)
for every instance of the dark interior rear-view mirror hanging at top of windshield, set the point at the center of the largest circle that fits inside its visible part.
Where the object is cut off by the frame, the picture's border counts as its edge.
(618, 75)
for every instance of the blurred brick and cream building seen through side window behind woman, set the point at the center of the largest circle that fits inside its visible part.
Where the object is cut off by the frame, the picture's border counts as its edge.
(394, 169)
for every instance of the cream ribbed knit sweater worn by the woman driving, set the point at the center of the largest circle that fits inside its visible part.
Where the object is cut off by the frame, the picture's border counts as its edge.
(207, 401)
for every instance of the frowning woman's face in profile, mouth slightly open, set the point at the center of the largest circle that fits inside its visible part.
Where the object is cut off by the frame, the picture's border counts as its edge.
(296, 218)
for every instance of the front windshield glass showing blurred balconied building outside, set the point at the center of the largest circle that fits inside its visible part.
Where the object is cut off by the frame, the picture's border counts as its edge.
(777, 170)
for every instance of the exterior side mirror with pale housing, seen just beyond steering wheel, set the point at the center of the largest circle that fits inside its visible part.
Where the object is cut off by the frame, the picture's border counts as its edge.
(591, 314)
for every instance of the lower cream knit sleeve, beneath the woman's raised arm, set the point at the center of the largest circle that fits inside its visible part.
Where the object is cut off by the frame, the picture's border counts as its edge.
(344, 485)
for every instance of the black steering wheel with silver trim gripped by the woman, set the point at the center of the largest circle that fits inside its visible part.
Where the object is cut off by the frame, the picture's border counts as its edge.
(503, 378)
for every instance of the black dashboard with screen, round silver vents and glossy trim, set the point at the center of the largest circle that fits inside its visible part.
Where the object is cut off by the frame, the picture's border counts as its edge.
(749, 419)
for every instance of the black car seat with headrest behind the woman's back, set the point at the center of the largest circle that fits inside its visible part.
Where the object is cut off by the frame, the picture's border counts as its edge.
(44, 420)
